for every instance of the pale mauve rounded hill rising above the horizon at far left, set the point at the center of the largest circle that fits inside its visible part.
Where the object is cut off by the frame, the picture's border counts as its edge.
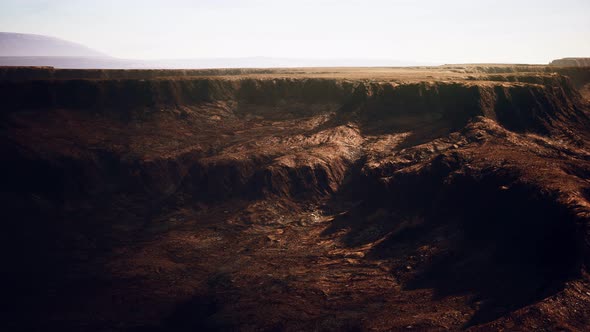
(21, 44)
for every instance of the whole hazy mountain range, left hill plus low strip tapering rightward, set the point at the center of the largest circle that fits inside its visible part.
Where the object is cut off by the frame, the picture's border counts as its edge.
(18, 49)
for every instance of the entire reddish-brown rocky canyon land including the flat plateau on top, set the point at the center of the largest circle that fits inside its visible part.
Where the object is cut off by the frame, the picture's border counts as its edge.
(320, 199)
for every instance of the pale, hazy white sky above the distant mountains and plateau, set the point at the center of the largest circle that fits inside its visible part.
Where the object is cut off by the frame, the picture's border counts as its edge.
(452, 31)
